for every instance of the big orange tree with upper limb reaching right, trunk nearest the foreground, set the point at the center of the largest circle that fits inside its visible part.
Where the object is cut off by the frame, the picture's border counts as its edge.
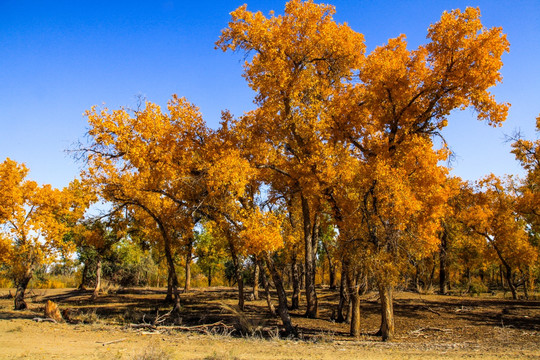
(389, 119)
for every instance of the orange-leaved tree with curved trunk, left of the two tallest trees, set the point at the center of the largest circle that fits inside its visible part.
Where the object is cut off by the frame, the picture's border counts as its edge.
(151, 161)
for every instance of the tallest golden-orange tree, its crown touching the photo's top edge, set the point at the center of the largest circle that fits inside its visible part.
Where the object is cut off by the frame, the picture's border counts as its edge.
(299, 60)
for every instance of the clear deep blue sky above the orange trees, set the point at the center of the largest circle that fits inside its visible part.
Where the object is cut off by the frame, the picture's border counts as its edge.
(58, 58)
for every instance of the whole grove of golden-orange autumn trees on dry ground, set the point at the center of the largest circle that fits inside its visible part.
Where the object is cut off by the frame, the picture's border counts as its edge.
(341, 167)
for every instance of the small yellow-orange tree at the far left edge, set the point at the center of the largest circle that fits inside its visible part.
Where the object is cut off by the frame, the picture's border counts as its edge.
(35, 219)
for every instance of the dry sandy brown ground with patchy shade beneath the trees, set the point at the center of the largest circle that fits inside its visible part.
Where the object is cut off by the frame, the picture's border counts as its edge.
(427, 326)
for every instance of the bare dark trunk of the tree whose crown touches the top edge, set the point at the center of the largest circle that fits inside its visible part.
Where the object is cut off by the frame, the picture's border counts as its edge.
(311, 294)
